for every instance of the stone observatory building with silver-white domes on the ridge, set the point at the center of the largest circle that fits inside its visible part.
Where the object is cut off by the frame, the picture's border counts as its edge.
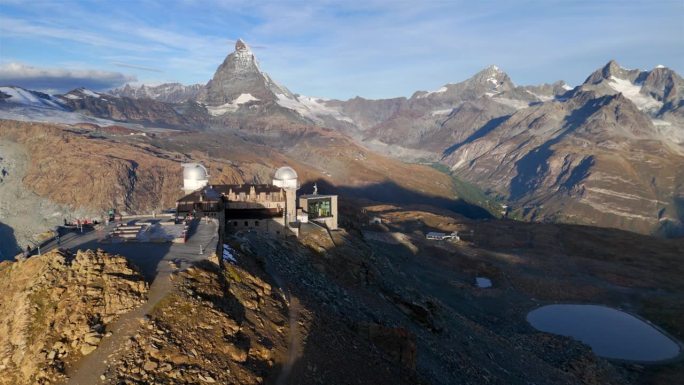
(266, 208)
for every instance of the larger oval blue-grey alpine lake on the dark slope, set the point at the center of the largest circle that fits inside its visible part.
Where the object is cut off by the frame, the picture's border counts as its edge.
(609, 332)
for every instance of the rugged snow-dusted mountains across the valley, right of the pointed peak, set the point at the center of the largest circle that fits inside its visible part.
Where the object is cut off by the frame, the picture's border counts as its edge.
(508, 140)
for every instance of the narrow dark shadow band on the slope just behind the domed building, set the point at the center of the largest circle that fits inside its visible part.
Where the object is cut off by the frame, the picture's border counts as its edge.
(391, 193)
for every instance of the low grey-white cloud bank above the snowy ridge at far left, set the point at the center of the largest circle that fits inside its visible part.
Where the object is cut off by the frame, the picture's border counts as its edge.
(59, 79)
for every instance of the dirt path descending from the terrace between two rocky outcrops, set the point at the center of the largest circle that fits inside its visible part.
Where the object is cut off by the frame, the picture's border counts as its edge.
(89, 369)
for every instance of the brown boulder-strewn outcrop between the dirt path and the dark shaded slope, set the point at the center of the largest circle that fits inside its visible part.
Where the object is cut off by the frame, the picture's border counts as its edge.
(223, 326)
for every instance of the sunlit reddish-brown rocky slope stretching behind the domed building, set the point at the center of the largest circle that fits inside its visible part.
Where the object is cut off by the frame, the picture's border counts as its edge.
(96, 170)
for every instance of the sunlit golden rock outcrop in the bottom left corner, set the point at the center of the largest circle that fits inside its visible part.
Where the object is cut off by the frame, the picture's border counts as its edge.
(55, 308)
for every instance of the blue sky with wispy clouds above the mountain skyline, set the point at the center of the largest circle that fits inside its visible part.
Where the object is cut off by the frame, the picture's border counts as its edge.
(334, 49)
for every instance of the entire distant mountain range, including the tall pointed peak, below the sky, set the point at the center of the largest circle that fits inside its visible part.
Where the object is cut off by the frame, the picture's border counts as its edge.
(608, 152)
